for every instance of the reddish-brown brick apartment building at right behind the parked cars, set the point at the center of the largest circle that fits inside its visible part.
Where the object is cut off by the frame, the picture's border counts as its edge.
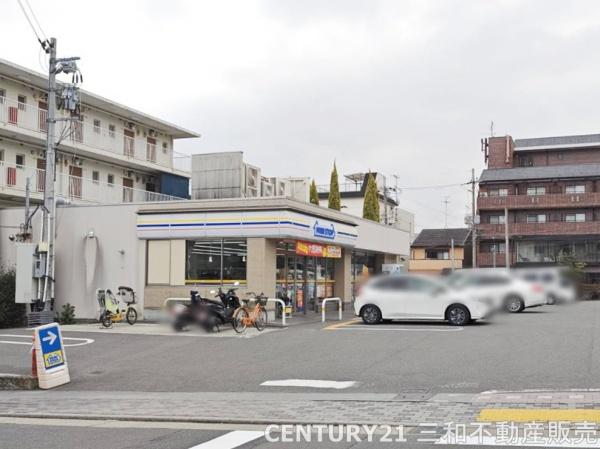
(551, 189)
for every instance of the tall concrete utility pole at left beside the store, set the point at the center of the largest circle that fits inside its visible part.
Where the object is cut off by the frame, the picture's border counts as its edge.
(50, 176)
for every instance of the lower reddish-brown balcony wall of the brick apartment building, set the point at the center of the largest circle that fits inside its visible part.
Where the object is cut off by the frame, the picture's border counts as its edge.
(549, 228)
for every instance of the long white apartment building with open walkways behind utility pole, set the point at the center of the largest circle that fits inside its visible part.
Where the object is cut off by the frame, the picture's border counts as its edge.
(113, 154)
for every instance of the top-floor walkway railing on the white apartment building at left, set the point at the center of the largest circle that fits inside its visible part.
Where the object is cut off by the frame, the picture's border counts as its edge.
(32, 118)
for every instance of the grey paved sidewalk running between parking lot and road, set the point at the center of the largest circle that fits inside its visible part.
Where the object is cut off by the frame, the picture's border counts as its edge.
(300, 408)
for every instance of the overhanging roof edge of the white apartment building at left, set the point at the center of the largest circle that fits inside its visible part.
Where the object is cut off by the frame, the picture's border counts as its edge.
(24, 75)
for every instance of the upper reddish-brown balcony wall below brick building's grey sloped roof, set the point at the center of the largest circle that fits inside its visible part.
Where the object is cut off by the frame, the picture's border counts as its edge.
(553, 200)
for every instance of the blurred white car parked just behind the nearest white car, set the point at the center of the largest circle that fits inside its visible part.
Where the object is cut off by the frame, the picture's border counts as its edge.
(504, 289)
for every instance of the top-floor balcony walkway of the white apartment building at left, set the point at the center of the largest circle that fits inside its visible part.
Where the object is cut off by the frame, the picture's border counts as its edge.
(84, 137)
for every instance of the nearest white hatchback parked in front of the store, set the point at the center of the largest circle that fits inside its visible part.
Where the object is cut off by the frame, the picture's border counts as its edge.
(414, 297)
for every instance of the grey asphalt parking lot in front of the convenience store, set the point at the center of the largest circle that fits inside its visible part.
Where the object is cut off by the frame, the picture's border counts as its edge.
(510, 352)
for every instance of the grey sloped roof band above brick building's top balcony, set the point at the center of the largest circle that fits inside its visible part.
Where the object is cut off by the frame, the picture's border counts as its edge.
(543, 172)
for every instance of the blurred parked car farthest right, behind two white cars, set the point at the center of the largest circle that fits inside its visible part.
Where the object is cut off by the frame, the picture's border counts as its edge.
(558, 287)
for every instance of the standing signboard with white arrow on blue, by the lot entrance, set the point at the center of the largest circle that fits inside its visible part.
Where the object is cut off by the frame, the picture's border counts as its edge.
(51, 359)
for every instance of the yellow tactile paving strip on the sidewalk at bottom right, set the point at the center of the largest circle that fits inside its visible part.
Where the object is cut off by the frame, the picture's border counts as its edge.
(538, 415)
